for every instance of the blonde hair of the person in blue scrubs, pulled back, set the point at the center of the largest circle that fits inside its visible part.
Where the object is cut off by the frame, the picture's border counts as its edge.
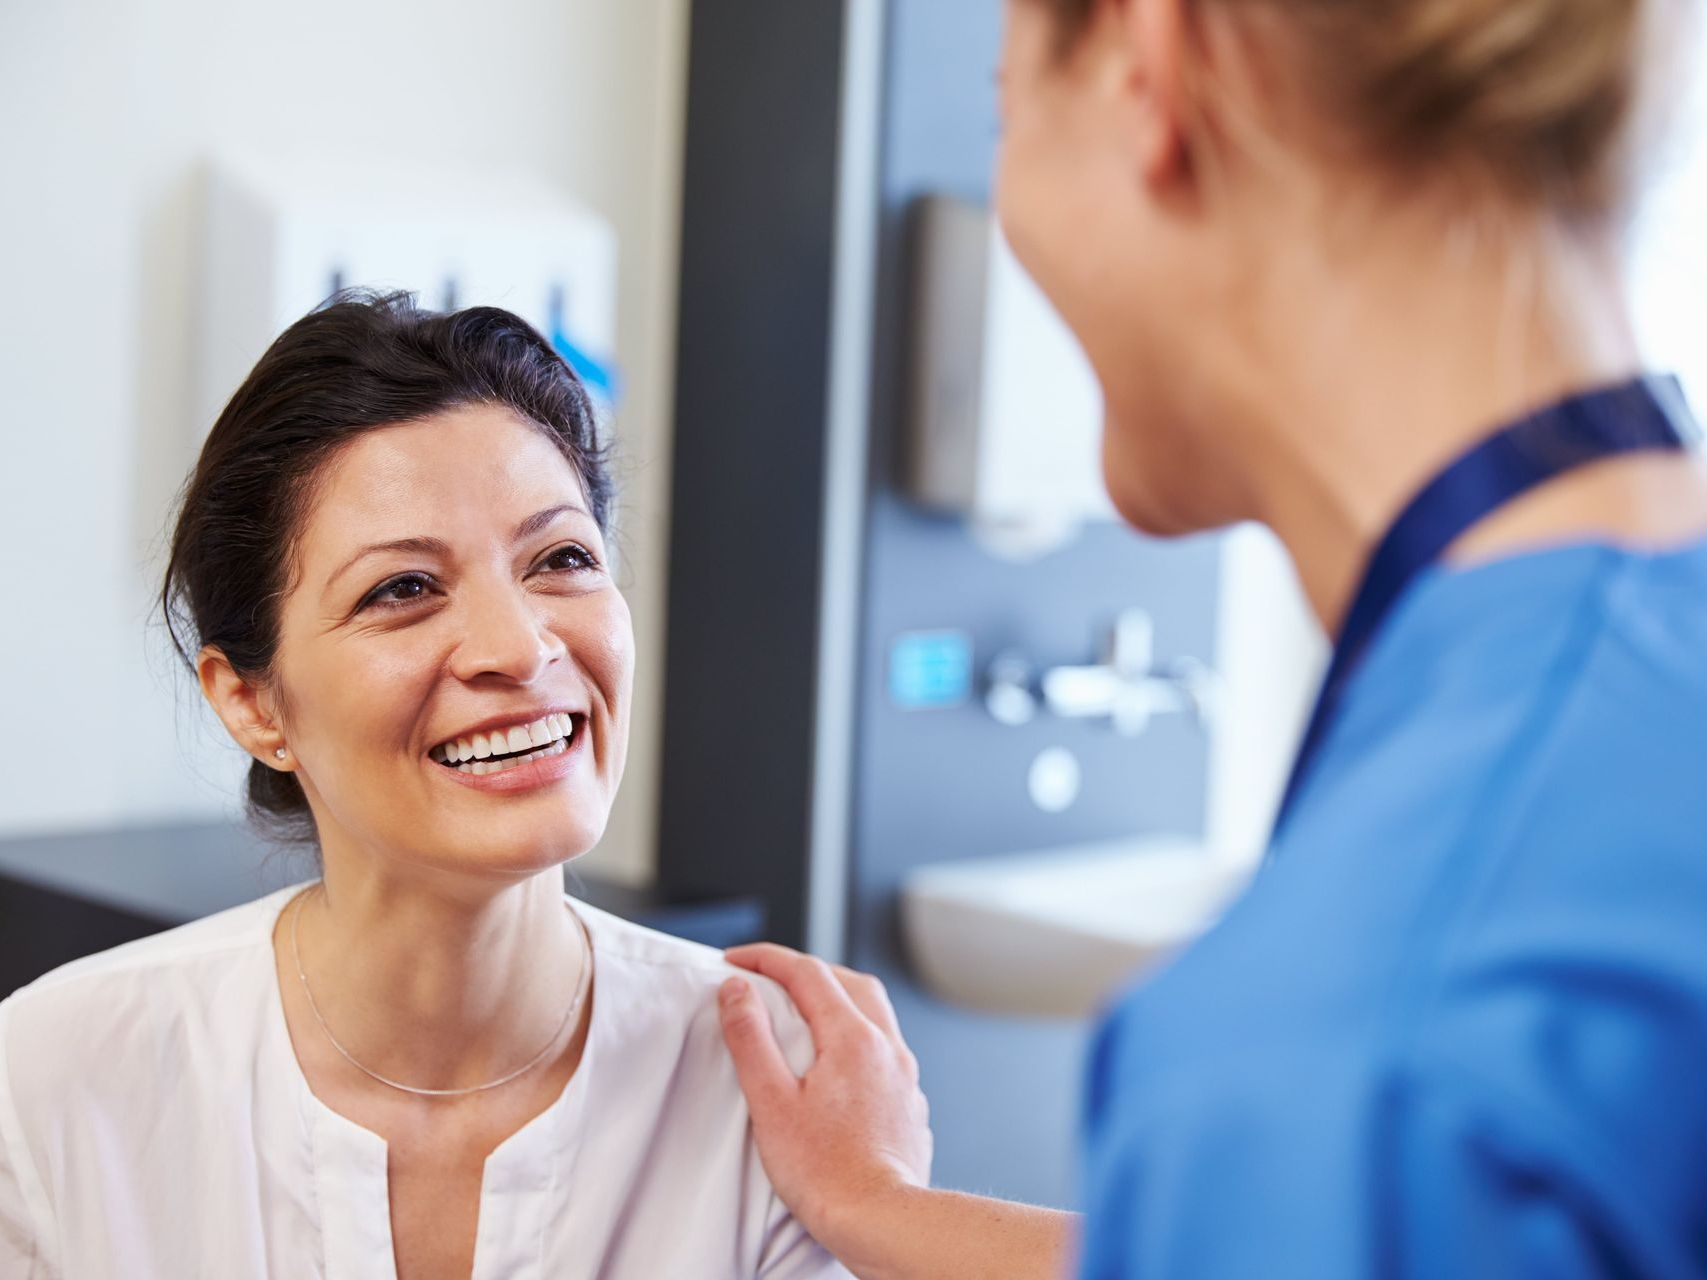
(1539, 96)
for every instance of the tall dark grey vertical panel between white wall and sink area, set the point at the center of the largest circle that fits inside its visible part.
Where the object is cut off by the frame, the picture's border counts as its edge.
(747, 508)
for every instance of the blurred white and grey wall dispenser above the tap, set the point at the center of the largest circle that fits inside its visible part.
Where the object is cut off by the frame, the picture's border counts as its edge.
(1005, 412)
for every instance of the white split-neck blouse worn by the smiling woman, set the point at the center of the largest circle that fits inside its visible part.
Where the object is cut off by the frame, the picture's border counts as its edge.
(156, 1126)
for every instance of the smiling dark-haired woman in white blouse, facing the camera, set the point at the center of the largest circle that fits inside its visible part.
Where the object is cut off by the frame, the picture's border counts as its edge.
(390, 579)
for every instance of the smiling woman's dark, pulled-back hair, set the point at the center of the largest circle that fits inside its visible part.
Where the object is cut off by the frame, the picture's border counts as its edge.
(358, 363)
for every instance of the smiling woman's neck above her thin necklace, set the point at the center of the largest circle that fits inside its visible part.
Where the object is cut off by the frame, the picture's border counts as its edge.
(440, 987)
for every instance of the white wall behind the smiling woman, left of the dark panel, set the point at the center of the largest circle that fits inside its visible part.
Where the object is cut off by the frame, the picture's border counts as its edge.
(108, 110)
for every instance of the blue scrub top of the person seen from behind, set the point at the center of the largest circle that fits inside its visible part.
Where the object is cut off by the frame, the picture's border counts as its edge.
(1459, 1027)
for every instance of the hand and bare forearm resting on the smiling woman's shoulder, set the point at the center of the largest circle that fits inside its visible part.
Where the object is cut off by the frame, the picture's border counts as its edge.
(848, 1146)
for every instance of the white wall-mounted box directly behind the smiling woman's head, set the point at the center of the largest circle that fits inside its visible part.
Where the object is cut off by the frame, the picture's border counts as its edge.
(284, 236)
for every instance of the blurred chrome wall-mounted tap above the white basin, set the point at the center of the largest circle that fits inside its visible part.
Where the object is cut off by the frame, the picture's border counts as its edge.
(1127, 687)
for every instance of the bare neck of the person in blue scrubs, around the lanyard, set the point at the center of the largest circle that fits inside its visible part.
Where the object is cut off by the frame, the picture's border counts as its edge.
(1375, 371)
